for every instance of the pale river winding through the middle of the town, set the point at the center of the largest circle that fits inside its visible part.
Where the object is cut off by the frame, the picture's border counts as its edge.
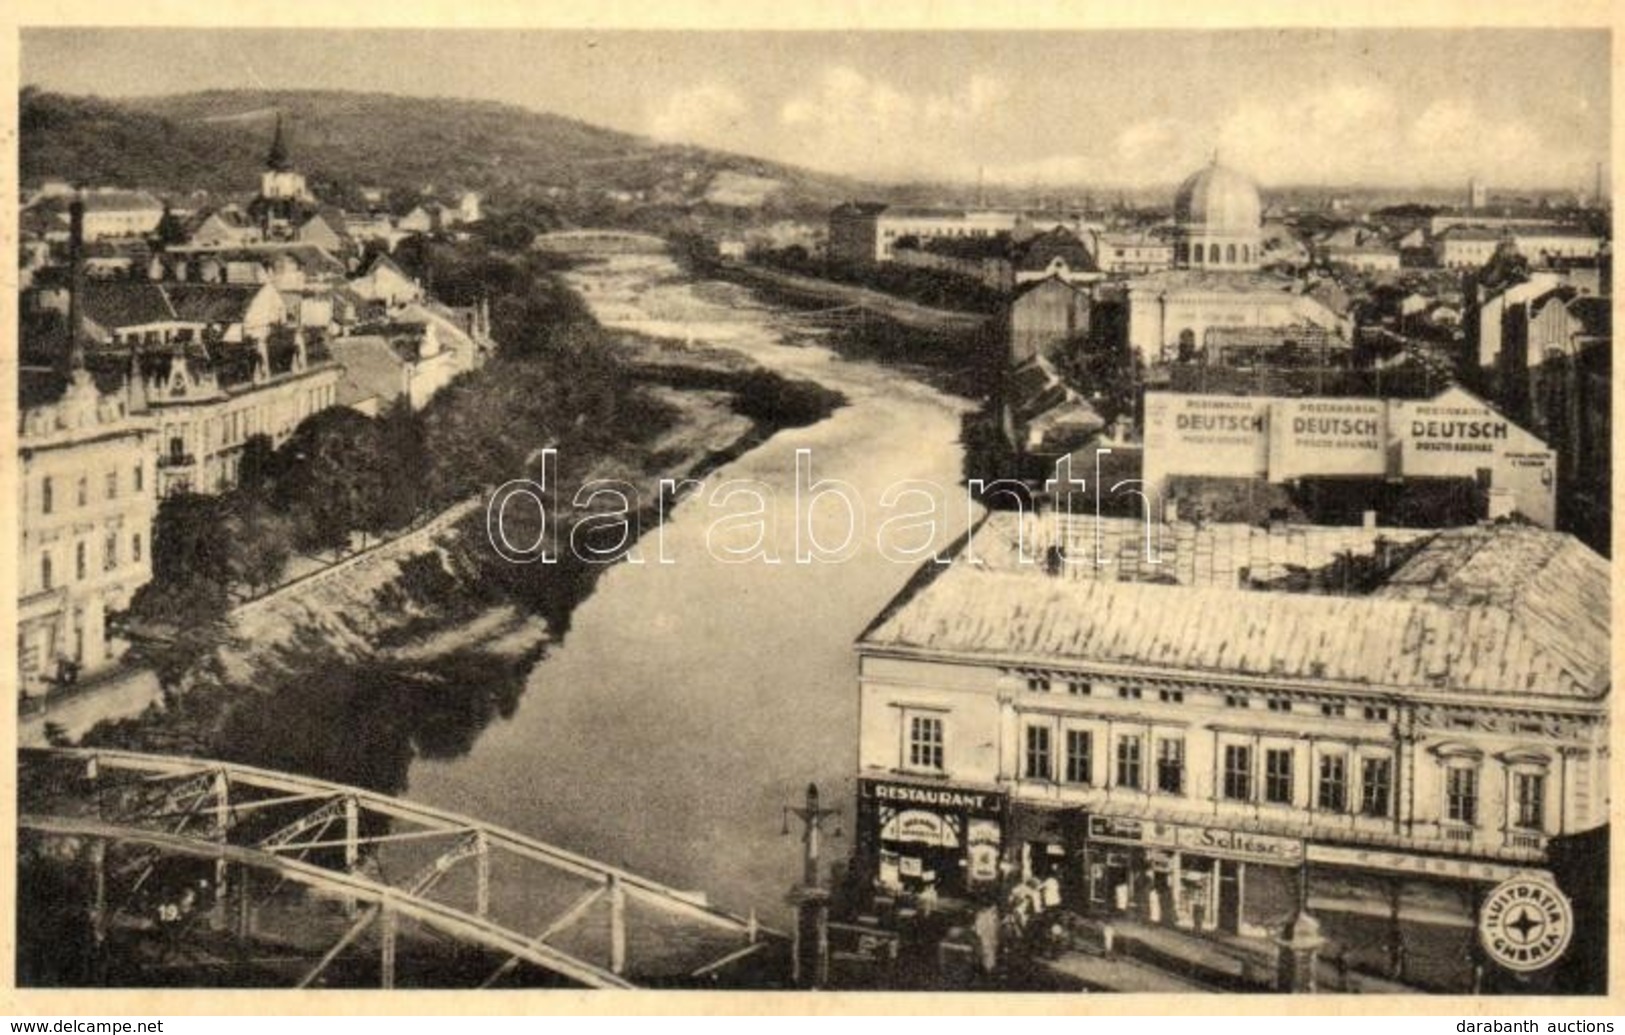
(691, 701)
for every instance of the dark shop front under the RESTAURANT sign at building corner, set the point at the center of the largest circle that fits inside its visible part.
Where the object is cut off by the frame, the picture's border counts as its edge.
(948, 839)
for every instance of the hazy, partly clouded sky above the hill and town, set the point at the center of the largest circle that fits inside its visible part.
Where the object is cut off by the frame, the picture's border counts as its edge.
(1410, 108)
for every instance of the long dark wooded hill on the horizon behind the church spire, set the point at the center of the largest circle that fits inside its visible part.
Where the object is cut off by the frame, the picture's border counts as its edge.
(217, 142)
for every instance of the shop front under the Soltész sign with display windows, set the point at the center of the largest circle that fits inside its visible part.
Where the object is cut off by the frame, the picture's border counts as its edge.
(1192, 877)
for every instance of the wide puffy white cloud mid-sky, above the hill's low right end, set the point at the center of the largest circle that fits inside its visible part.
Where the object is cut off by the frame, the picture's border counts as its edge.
(867, 126)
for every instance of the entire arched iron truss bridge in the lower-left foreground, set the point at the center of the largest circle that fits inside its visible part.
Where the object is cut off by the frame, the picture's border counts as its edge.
(269, 878)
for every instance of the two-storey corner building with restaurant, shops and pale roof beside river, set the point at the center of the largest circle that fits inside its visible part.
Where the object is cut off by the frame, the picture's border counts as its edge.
(1211, 758)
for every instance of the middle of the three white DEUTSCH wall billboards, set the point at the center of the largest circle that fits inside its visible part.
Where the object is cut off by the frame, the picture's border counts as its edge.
(1328, 440)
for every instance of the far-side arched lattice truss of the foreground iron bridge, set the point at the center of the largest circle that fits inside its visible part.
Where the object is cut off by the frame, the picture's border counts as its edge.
(545, 906)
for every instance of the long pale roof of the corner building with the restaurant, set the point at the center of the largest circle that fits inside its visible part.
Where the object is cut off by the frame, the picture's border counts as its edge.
(1551, 641)
